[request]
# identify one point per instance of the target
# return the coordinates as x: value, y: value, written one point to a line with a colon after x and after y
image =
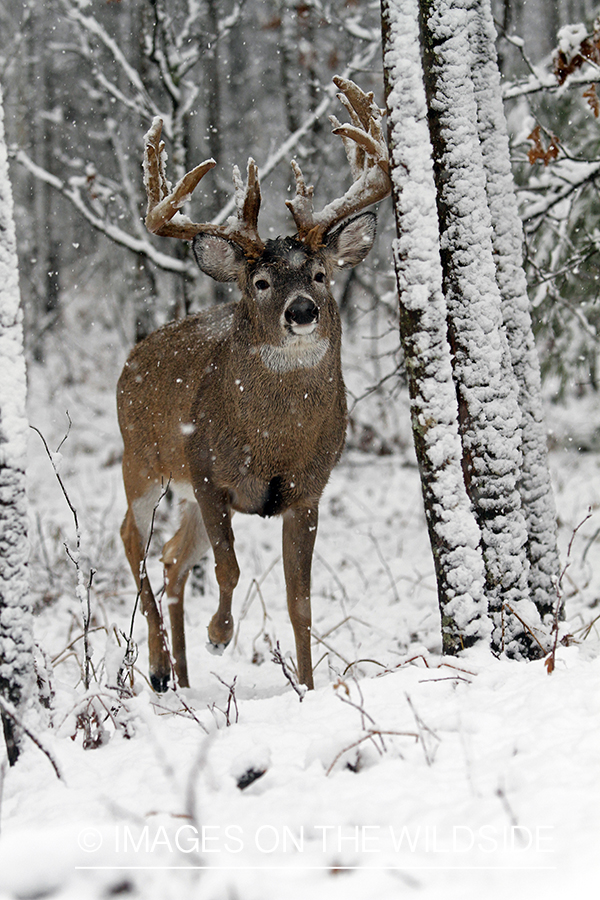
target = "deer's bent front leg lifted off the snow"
x: 216, y: 514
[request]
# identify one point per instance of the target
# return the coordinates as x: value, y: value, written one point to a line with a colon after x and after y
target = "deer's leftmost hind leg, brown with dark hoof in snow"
x: 135, y: 533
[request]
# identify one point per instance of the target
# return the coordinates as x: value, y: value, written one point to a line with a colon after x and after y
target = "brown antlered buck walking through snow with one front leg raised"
x: 242, y: 406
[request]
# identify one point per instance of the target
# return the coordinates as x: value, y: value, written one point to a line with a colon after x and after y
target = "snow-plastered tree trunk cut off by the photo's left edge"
x: 16, y: 642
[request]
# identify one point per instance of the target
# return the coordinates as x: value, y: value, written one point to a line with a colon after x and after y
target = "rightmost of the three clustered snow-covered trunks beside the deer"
x: 534, y: 484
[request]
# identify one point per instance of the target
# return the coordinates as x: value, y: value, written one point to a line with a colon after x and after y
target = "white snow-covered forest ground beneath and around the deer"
x: 403, y: 771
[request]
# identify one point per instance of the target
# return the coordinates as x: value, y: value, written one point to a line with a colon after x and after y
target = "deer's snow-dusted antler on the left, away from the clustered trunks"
x: 164, y: 202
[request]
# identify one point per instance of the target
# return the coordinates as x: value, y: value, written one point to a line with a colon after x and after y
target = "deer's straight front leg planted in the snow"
x: 299, y: 533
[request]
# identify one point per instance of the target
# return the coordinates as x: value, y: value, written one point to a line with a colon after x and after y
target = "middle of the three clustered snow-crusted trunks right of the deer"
x: 487, y: 390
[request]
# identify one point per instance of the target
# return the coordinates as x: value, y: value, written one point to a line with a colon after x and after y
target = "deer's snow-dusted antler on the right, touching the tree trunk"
x: 367, y: 154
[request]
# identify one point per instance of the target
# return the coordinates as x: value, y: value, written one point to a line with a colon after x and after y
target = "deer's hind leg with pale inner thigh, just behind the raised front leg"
x: 182, y: 552
